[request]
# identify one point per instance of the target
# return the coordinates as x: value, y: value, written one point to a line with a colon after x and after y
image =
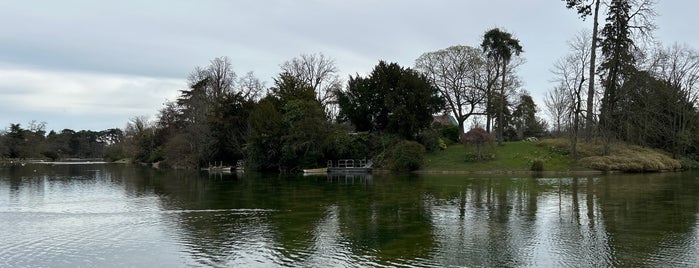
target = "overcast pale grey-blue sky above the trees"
x: 95, y: 64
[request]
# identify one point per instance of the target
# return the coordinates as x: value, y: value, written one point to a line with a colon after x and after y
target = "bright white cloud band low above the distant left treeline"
x: 88, y: 100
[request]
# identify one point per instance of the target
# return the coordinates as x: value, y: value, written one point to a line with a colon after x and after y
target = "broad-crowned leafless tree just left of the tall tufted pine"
x: 456, y: 71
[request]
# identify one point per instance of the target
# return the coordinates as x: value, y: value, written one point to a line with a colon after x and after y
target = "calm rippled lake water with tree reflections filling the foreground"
x: 108, y: 215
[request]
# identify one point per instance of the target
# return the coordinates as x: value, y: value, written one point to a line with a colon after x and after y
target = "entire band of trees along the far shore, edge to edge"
x: 617, y: 84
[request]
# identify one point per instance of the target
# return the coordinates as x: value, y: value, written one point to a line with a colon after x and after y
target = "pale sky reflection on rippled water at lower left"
x: 85, y: 220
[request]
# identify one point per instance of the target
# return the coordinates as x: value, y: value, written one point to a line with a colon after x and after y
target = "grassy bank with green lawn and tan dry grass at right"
x: 554, y: 154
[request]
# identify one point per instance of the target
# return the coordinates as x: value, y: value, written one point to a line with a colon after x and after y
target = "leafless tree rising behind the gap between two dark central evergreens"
x: 320, y: 73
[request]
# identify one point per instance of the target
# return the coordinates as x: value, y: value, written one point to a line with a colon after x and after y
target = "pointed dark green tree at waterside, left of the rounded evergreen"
x: 288, y: 129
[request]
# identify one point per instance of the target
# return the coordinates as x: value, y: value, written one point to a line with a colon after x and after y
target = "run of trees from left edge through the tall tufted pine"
x: 308, y: 117
